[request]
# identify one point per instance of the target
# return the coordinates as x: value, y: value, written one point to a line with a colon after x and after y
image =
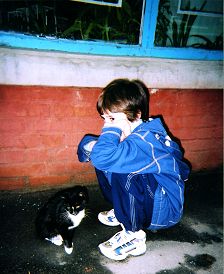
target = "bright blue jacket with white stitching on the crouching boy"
x: 148, y: 149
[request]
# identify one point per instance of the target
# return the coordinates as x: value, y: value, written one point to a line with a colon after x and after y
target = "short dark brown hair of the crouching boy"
x: 128, y: 96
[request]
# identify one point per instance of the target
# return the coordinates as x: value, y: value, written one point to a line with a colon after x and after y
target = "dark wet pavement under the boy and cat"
x: 195, y: 245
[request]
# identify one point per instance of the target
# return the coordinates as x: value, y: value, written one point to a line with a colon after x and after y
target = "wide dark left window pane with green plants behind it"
x: 74, y: 20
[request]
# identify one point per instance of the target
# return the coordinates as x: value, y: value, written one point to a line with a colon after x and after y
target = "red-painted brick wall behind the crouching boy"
x: 40, y: 128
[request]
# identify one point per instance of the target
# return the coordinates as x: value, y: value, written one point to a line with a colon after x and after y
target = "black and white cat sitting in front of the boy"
x: 63, y: 212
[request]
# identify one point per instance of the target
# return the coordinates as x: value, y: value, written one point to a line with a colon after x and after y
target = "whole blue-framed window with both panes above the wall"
x: 181, y: 29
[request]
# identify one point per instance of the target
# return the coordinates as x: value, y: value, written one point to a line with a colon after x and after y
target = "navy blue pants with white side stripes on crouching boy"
x: 131, y: 195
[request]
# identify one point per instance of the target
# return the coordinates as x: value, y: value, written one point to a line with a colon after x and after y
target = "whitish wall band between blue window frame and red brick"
x: 51, y: 68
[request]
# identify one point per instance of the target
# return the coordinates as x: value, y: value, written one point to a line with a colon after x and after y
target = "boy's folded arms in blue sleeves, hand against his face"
x: 112, y: 151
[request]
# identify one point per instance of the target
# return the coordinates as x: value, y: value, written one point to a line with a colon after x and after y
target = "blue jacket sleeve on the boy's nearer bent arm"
x: 109, y: 154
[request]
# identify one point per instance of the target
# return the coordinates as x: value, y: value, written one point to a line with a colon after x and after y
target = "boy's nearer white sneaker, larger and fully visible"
x: 123, y: 244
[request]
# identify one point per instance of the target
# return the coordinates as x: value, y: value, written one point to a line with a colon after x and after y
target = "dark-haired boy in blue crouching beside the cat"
x: 139, y: 168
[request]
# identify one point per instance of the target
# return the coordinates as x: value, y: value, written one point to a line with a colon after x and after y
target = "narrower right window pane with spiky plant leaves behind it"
x: 190, y: 23
